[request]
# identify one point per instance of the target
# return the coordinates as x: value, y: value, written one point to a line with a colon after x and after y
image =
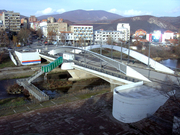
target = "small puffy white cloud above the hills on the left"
x: 49, y: 11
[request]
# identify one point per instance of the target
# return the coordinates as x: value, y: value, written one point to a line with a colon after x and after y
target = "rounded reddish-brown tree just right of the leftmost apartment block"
x: 23, y: 35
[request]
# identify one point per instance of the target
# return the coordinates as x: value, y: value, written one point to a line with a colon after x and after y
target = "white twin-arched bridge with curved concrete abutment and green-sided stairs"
x: 83, y: 63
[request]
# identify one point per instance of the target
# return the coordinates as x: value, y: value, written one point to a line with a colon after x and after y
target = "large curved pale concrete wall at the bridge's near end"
x: 133, y: 108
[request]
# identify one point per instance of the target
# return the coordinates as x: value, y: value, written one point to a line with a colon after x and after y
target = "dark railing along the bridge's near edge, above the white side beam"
x: 115, y: 74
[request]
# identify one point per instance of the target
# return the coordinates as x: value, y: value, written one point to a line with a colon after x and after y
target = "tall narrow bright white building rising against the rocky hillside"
x: 125, y: 28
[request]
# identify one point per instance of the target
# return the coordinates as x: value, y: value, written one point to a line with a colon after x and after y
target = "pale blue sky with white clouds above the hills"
x: 125, y: 8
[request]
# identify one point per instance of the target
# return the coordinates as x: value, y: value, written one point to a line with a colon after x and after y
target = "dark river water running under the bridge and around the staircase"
x: 77, y: 85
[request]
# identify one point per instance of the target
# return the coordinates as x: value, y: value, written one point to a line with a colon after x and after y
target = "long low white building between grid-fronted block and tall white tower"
x: 102, y: 37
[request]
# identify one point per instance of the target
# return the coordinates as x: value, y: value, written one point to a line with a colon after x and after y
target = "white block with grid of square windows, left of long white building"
x: 82, y: 32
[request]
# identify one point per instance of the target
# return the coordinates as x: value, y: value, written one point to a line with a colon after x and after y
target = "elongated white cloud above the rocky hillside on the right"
x: 130, y: 12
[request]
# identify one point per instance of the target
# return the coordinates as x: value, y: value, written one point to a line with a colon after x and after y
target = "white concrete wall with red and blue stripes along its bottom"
x: 28, y: 58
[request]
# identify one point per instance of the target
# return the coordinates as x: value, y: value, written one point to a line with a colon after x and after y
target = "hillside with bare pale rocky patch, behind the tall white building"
x: 148, y: 23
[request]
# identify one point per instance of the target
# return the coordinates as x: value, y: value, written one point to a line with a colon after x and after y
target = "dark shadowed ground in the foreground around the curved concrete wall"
x: 86, y: 117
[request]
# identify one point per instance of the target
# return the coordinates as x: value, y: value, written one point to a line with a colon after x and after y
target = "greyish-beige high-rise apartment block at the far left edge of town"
x: 11, y: 21
